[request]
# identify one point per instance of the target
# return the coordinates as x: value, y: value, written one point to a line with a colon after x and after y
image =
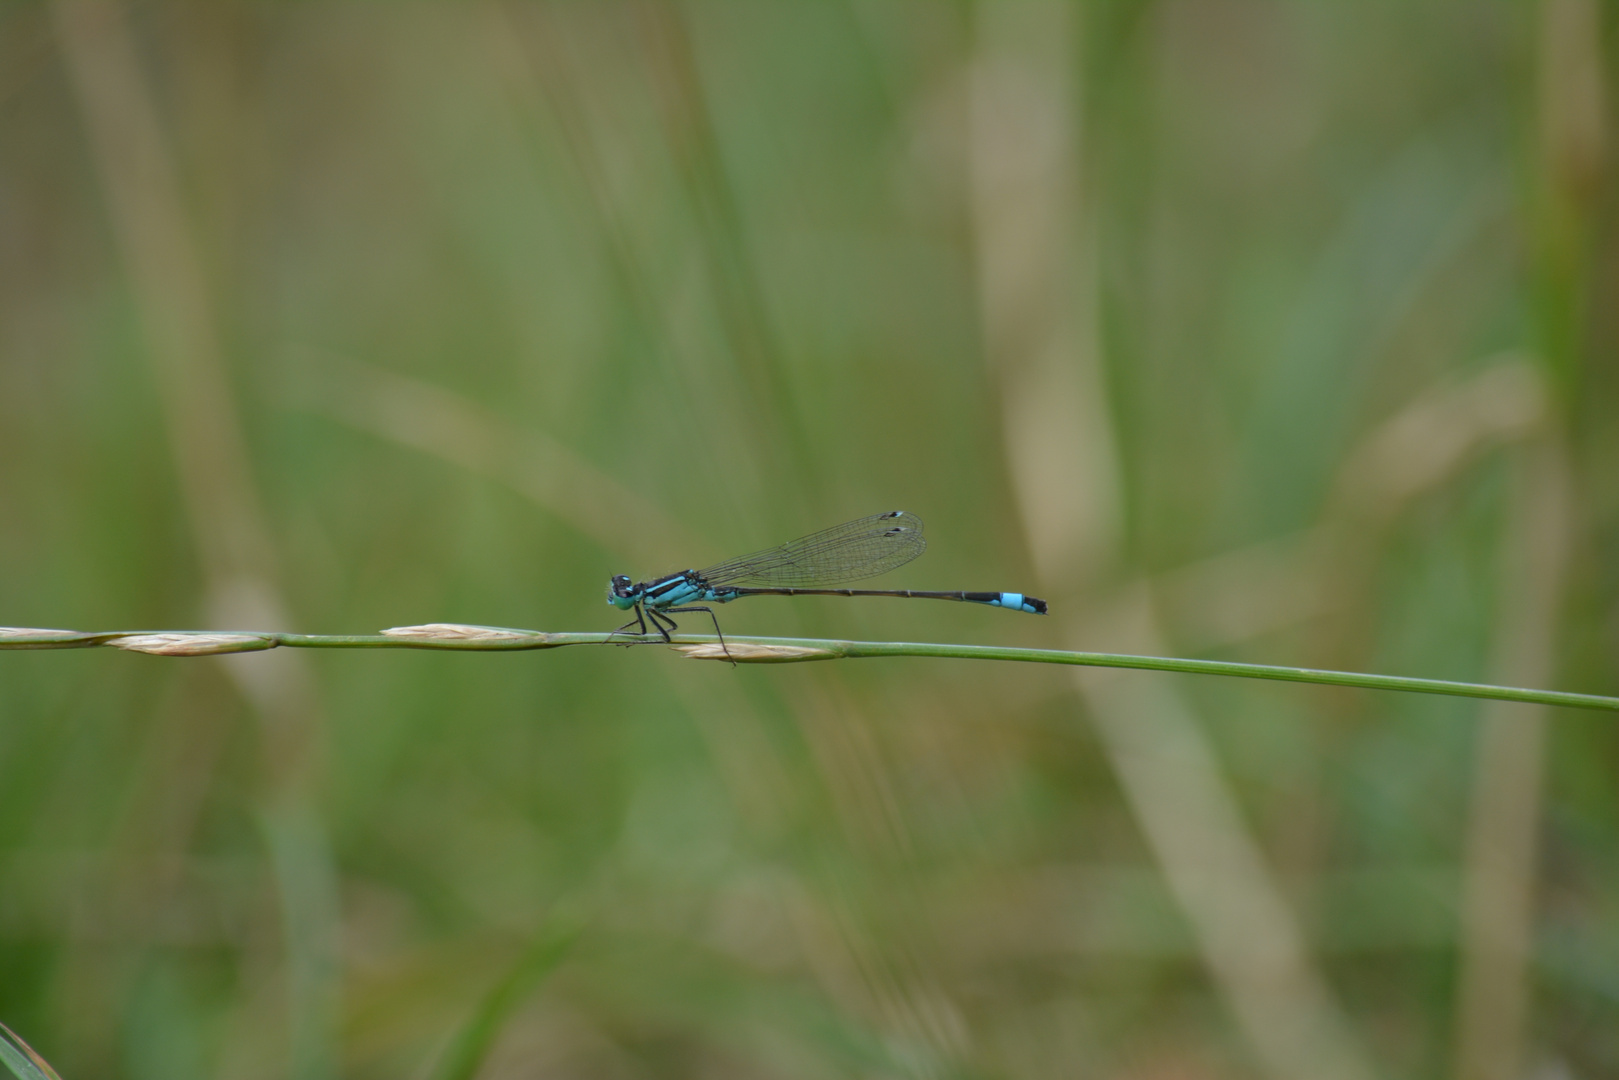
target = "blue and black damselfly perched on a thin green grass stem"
x: 846, y: 553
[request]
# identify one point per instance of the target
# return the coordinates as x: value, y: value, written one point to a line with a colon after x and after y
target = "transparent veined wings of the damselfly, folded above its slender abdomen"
x: 844, y: 553
